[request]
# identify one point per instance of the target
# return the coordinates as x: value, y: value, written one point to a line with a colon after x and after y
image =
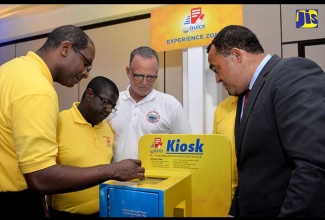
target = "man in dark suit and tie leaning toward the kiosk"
x: 280, y: 134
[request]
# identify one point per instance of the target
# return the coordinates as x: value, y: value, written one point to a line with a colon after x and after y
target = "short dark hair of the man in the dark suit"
x: 236, y: 36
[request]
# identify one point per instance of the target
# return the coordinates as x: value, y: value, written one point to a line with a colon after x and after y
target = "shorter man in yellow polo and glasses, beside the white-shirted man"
x: 85, y: 139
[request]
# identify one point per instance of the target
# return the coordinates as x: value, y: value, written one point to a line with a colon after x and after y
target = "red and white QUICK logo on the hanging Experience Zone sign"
x: 193, y: 21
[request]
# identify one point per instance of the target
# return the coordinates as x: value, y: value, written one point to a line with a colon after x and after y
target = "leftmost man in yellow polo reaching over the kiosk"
x: 28, y: 122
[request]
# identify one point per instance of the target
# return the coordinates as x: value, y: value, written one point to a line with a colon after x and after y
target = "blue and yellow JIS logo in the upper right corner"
x: 307, y: 18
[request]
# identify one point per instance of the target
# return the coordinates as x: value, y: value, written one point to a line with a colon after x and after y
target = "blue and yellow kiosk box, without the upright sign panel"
x: 160, y: 194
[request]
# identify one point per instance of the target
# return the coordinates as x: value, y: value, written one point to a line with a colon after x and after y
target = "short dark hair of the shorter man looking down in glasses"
x: 100, y: 83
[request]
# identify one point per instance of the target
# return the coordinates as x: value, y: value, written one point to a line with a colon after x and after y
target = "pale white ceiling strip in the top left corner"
x: 44, y: 21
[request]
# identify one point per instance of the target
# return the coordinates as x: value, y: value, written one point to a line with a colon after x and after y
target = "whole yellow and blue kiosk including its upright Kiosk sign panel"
x: 187, y: 175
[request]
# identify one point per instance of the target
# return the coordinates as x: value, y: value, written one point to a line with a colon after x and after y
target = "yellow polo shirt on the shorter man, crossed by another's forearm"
x: 81, y: 145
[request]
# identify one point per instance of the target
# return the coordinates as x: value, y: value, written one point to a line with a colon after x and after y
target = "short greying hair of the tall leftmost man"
x: 66, y: 33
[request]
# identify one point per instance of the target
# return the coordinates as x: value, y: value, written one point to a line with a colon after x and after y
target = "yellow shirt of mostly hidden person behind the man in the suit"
x: 224, y: 123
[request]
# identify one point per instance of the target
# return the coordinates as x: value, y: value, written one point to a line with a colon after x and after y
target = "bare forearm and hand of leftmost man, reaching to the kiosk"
x: 62, y: 178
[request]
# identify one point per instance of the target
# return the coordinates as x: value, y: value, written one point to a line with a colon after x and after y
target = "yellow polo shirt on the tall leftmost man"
x: 28, y: 117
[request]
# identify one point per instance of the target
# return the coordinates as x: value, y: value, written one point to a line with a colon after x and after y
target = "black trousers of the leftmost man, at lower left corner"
x: 22, y: 205
